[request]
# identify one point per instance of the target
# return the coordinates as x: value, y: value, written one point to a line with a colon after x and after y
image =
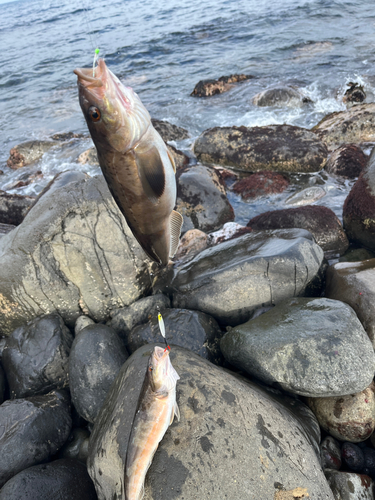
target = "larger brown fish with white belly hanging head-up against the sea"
x: 134, y: 159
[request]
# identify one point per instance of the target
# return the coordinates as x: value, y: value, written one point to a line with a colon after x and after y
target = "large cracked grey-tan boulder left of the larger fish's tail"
x: 72, y: 254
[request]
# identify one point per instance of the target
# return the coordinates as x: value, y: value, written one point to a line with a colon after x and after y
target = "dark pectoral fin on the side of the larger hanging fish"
x: 151, y: 172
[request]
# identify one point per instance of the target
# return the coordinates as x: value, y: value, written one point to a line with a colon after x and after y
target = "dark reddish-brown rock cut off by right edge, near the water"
x: 359, y: 208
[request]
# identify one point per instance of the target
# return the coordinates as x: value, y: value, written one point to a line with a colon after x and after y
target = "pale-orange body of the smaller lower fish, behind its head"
x: 149, y: 427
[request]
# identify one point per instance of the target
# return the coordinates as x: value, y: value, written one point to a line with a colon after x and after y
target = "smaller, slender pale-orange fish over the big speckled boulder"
x: 157, y: 407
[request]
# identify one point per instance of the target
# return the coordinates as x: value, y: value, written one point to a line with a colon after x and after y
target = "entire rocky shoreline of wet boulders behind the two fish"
x: 271, y: 325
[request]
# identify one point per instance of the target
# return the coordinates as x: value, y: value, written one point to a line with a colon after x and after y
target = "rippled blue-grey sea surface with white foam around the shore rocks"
x: 162, y: 48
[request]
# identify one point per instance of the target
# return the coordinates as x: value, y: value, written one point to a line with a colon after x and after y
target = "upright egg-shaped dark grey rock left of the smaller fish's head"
x: 96, y: 356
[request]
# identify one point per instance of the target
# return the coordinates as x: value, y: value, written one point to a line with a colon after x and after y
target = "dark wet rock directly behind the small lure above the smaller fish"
x: 193, y: 330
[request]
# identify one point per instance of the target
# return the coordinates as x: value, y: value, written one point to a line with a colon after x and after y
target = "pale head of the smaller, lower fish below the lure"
x: 161, y: 372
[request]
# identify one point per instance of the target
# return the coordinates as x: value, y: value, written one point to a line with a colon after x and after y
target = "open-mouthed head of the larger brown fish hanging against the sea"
x: 115, y: 115
